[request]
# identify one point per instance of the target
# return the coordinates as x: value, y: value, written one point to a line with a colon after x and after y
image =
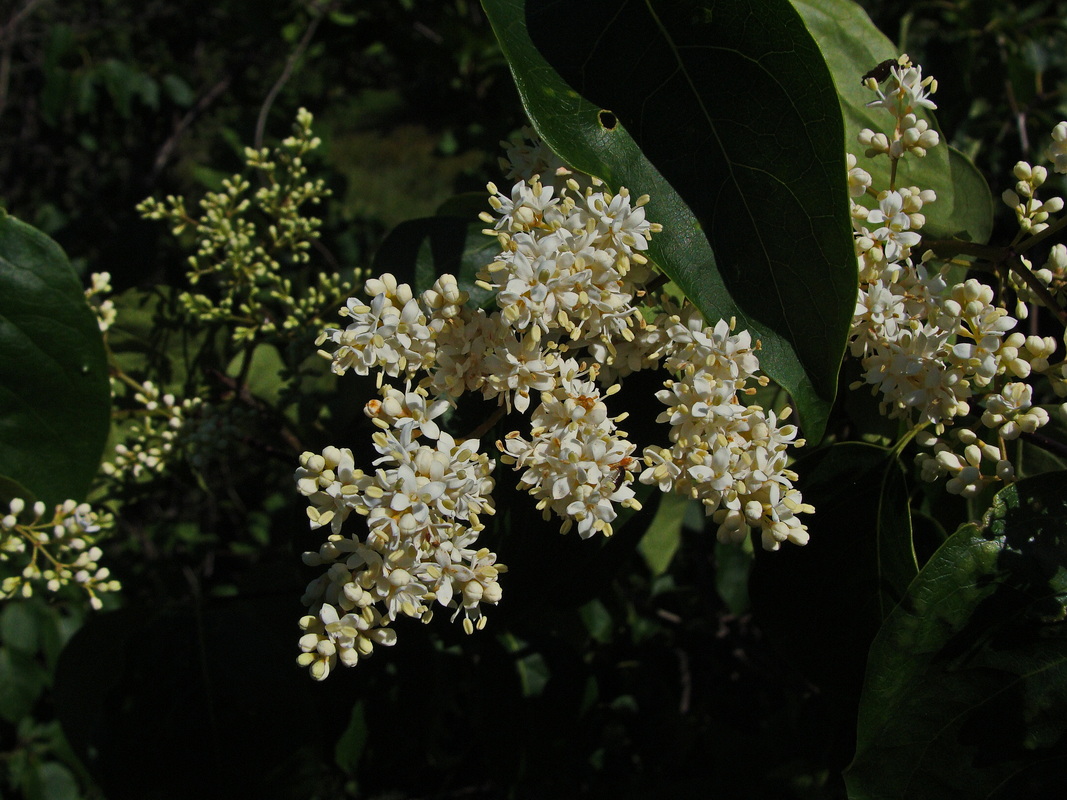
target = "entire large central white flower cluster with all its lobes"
x: 568, y: 282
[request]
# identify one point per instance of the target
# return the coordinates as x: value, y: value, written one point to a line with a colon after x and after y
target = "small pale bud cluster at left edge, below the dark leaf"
x: 60, y: 550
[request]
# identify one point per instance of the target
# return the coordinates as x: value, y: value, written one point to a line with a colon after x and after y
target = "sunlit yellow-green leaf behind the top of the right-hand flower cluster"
x: 852, y: 46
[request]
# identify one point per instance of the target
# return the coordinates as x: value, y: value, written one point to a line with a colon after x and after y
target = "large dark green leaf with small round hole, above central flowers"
x: 725, y: 115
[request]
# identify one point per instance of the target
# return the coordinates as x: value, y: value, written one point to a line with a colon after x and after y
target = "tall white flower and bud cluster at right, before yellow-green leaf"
x: 928, y: 347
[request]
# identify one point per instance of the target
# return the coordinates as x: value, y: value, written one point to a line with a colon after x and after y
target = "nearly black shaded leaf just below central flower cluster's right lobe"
x: 821, y: 605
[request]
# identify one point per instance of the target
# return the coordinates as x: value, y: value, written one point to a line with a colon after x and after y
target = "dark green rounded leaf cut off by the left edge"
x: 55, y: 396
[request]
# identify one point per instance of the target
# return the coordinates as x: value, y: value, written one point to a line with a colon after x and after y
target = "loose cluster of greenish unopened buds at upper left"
x: 252, y: 245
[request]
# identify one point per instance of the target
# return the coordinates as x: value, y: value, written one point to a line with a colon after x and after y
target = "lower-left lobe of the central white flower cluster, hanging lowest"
x: 423, y: 506
